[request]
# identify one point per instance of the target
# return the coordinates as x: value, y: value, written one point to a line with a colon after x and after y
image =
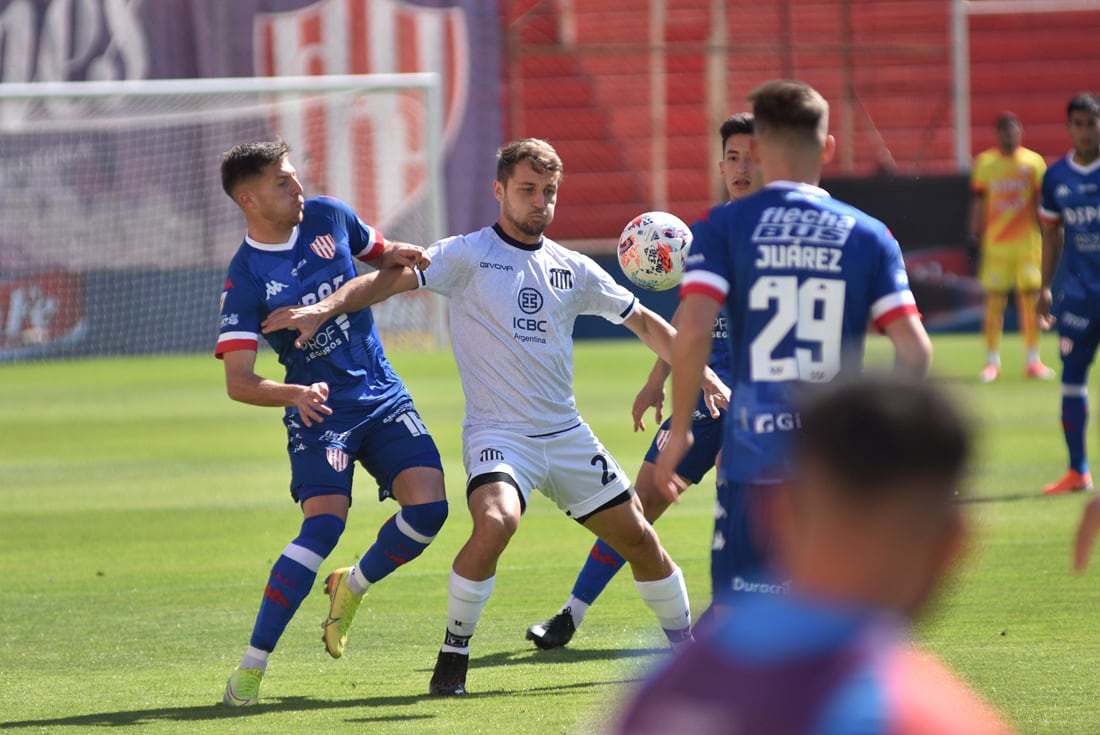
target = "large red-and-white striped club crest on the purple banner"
x: 361, y: 160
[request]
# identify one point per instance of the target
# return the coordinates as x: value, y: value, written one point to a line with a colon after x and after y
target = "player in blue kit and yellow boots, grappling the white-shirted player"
x: 344, y: 402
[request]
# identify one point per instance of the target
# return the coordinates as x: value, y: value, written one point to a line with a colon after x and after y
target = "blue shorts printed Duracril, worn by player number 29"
x: 740, y: 555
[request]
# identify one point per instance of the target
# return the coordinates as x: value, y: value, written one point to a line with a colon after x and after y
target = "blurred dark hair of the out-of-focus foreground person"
x: 887, y: 435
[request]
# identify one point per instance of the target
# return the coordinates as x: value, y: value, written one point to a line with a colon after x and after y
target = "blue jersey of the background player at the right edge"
x: 1072, y: 196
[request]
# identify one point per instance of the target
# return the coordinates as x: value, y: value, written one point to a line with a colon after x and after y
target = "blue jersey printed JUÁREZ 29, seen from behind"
x: 800, y: 275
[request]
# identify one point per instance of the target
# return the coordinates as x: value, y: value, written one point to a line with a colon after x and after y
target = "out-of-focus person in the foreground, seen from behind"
x: 866, y: 537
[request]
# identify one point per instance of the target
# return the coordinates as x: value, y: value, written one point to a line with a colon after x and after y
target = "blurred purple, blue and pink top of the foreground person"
x: 791, y: 666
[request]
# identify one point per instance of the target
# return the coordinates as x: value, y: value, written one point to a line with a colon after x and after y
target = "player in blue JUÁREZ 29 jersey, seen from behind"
x: 800, y: 275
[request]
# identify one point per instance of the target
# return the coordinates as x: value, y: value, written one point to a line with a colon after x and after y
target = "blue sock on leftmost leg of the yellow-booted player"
x: 292, y: 577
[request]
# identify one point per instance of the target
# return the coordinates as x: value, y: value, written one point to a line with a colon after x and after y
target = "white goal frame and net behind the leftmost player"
x: 117, y: 234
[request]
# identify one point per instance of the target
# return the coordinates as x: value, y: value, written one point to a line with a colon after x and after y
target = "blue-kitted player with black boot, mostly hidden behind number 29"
x: 741, y: 179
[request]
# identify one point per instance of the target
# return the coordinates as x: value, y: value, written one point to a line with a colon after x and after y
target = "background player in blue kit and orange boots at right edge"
x: 1071, y: 218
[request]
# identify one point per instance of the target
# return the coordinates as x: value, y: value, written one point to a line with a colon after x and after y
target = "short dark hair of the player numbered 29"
x: 793, y: 108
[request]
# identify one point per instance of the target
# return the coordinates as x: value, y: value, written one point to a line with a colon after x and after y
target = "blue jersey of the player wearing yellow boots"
x: 346, y: 352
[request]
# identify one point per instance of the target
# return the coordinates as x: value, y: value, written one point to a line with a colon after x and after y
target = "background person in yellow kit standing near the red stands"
x: 1006, y: 183
